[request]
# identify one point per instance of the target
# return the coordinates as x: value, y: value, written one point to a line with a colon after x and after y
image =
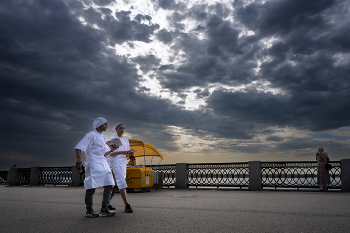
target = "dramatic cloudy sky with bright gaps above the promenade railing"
x: 202, y: 80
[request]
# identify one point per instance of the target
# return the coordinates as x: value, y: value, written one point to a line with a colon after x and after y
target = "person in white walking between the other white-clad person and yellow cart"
x: 118, y: 165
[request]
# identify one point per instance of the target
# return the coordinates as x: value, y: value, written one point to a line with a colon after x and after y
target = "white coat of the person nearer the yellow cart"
x: 118, y: 163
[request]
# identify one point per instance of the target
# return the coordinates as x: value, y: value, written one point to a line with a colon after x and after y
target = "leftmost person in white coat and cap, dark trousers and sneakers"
x: 98, y: 172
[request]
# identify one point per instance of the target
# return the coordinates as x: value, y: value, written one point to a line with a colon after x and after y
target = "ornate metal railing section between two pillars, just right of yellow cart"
x: 218, y: 174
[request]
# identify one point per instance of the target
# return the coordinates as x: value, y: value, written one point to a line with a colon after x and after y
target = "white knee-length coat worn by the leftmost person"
x: 98, y: 172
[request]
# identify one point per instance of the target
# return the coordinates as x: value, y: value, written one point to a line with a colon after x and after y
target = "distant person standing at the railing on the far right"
x: 323, y: 177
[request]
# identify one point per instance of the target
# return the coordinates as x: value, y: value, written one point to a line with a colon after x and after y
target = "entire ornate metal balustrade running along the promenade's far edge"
x: 296, y: 174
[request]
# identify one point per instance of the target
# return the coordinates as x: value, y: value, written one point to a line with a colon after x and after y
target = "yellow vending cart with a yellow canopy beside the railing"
x: 140, y: 176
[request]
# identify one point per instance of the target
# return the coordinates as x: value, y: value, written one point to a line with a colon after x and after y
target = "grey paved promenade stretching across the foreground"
x: 61, y: 209
